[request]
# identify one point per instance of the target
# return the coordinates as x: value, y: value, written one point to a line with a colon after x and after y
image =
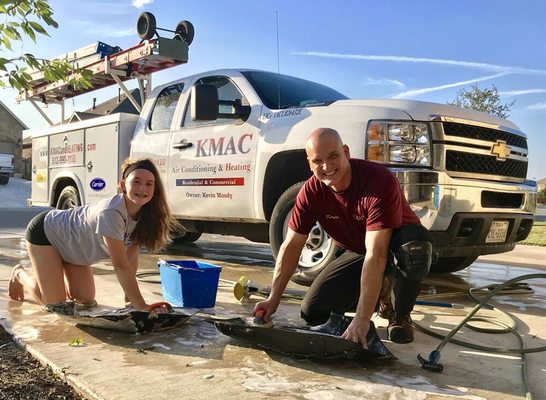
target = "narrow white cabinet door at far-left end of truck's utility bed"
x: 40, y: 175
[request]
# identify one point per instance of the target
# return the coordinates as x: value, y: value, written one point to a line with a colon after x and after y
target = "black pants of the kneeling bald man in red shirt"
x: 337, y: 287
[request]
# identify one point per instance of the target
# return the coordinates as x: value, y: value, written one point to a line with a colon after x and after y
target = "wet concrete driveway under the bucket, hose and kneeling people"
x: 194, y: 361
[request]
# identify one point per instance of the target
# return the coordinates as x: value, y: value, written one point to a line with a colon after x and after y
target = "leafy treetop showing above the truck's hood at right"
x: 484, y: 100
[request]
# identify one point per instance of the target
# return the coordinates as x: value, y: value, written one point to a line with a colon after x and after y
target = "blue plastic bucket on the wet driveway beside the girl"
x: 189, y: 283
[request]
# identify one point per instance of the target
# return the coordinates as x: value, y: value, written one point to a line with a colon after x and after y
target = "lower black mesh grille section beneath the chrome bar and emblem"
x: 458, y: 161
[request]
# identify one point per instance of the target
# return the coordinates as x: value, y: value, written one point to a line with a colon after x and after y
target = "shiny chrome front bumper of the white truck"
x: 459, y: 213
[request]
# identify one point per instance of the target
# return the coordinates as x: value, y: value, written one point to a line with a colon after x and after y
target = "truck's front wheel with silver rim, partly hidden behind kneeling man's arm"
x: 319, y: 250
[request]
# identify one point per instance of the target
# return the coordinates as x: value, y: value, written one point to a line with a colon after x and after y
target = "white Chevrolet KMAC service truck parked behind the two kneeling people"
x: 230, y: 147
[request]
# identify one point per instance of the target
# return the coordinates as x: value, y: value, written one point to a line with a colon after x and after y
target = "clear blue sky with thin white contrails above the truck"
x: 425, y: 50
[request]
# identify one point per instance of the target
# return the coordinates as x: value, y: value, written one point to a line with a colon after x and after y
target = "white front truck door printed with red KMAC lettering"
x: 211, y: 167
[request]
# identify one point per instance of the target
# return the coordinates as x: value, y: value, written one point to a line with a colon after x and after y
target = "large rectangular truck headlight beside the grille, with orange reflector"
x: 393, y: 142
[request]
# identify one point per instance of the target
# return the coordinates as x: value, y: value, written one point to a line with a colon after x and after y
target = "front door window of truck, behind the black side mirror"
x: 227, y: 93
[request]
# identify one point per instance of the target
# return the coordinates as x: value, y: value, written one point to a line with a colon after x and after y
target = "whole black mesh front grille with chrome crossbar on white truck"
x: 477, y: 158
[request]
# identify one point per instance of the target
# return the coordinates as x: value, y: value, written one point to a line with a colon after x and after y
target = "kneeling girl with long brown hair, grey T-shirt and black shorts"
x: 62, y: 244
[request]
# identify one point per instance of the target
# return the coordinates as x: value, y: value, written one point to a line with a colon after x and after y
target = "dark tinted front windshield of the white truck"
x: 294, y: 92
